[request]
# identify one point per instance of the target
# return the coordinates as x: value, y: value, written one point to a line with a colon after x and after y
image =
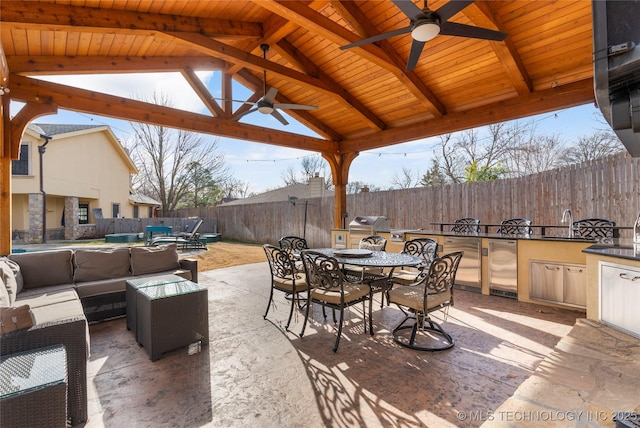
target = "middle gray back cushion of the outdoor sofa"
x: 95, y: 265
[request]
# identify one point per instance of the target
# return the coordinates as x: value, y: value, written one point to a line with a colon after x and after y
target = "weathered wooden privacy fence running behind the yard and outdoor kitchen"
x: 604, y: 188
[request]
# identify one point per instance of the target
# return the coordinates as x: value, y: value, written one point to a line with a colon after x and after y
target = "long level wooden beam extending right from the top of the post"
x: 564, y: 96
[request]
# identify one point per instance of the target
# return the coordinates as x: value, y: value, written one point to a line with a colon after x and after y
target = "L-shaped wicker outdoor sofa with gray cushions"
x: 64, y: 289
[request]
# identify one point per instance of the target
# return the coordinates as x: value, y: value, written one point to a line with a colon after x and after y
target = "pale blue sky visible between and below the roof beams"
x: 262, y: 165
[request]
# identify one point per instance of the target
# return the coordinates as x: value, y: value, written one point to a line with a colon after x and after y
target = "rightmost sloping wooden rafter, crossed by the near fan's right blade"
x: 482, y: 15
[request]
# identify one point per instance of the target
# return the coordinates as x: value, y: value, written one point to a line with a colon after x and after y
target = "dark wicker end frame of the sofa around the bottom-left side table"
x: 72, y: 333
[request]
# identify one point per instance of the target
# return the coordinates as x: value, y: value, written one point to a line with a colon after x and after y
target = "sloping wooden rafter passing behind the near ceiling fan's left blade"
x: 350, y: 11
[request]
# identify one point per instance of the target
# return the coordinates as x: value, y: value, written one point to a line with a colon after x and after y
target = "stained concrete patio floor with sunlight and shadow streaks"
x: 255, y: 374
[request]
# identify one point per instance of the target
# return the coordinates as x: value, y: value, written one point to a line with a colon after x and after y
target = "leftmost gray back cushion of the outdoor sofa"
x: 43, y: 268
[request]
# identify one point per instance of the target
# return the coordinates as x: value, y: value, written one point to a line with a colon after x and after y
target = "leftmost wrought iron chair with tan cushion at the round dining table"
x: 284, y: 277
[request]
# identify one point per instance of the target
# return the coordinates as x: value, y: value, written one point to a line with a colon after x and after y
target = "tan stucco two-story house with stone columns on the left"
x: 85, y: 175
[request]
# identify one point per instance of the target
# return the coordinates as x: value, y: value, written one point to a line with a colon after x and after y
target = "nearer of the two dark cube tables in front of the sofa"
x: 171, y: 315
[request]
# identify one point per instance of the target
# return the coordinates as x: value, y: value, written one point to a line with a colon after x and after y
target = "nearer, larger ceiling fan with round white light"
x: 426, y: 24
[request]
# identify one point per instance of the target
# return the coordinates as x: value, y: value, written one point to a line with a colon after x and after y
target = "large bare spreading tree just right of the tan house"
x: 171, y: 161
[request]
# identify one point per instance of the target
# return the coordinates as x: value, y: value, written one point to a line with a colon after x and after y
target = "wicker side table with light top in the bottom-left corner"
x: 33, y: 388
